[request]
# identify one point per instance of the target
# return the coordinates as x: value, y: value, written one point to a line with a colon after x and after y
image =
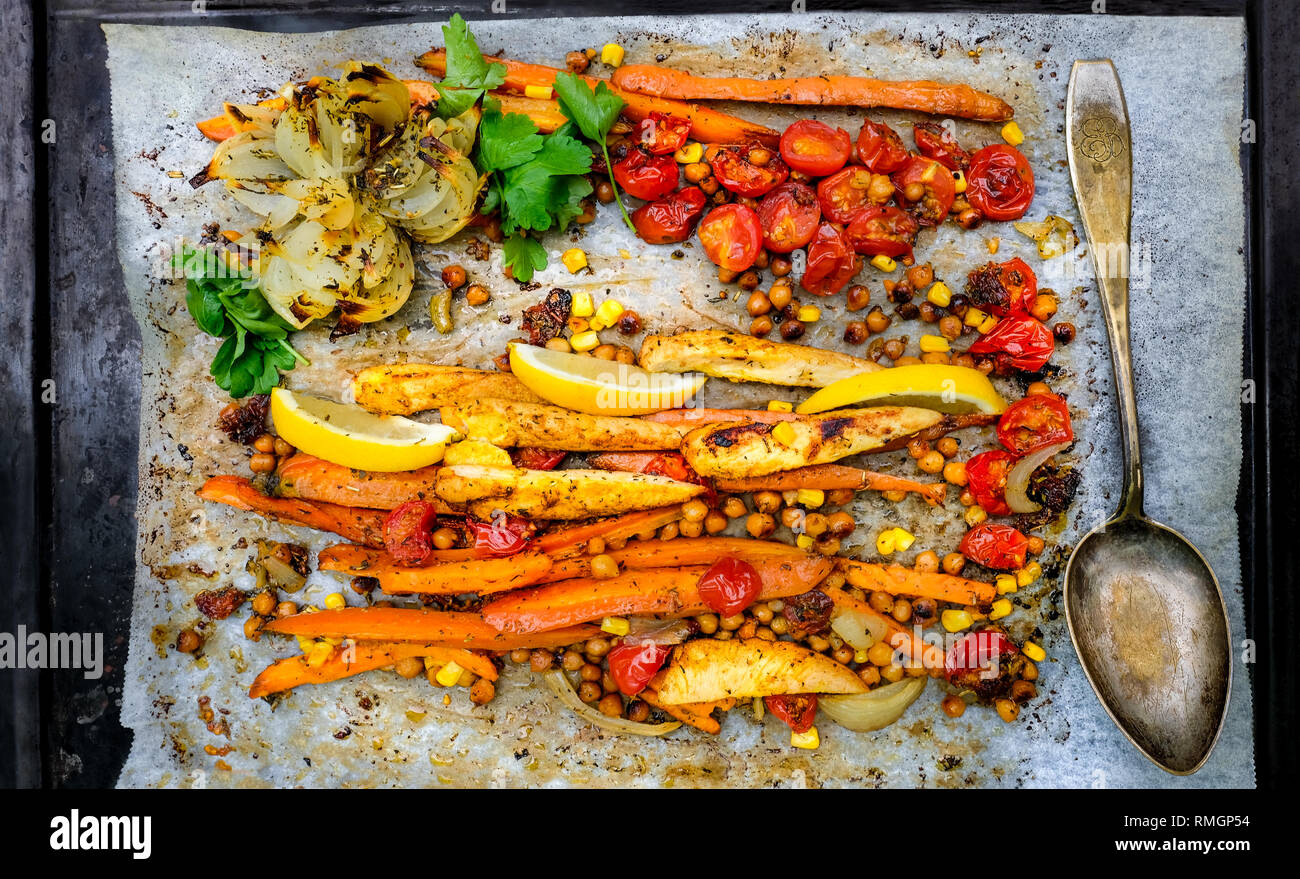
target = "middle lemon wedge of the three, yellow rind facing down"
x: 599, y: 387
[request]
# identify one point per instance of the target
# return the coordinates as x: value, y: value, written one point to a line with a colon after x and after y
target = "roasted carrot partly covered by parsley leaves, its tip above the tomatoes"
x: 707, y: 125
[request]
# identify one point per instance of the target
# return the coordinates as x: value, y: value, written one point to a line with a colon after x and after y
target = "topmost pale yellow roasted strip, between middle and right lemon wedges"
x: 746, y: 358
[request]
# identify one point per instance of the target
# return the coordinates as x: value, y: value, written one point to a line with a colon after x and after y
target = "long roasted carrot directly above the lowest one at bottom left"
x: 441, y: 629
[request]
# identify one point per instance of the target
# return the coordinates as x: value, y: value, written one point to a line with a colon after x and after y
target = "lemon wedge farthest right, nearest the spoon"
x: 956, y: 391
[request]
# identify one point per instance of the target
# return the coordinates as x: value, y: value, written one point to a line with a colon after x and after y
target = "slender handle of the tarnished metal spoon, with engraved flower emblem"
x: 1100, y: 153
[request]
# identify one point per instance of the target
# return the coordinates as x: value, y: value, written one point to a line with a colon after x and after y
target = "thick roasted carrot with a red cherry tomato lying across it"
x: 670, y: 592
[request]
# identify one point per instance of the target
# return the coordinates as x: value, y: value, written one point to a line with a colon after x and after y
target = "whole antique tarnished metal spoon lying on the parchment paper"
x: 1145, y: 608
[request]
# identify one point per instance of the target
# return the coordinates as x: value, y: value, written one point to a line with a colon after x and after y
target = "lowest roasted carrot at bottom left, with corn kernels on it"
x: 365, y: 656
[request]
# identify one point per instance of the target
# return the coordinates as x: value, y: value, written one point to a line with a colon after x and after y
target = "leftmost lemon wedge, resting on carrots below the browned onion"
x: 353, y: 438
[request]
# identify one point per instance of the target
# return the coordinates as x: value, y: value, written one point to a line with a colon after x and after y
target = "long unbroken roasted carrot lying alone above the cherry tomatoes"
x: 925, y: 97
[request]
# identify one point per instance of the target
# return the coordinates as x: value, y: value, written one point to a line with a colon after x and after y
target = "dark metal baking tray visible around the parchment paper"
x: 83, y: 451
